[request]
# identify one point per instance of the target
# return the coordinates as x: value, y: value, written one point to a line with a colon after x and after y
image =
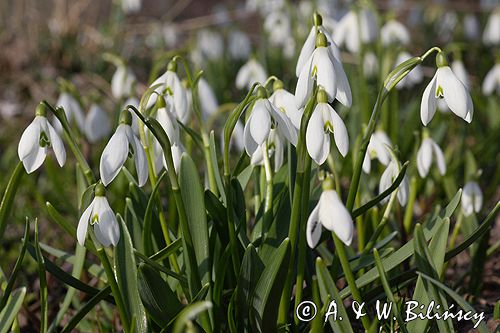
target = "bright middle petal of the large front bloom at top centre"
x: 325, y: 72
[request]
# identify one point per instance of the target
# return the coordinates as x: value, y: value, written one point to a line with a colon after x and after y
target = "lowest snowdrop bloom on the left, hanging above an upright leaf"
x: 100, y: 215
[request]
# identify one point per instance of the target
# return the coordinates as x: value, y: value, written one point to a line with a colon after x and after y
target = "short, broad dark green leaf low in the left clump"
x: 160, y: 301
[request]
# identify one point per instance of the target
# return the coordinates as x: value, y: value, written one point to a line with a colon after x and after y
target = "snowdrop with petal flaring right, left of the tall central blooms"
x: 263, y: 116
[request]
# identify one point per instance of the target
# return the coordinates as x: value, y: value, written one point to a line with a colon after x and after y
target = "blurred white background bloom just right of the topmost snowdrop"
x: 348, y: 31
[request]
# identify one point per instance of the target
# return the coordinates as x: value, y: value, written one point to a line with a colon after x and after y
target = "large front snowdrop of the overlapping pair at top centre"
x: 323, y: 67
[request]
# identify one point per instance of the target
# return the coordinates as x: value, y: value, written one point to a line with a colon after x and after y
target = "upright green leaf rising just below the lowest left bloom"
x: 126, y: 276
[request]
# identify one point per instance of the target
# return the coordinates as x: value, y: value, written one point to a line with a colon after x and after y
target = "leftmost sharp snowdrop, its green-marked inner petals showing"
x: 36, y: 140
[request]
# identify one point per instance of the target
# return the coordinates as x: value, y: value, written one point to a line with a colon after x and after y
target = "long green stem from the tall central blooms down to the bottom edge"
x: 303, y: 171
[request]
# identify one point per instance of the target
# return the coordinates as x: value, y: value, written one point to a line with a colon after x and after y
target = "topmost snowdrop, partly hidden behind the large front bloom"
x: 310, y: 44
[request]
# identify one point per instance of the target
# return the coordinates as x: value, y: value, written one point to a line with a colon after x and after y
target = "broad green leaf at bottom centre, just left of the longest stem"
x: 268, y: 290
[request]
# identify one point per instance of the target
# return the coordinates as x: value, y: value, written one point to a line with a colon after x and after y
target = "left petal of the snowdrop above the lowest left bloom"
x: 114, y: 155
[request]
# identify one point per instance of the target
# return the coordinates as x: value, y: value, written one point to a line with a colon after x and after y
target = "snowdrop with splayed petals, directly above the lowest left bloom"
x: 122, y: 144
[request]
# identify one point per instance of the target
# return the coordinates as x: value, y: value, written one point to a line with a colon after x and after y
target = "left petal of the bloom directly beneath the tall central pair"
x: 317, y: 141
